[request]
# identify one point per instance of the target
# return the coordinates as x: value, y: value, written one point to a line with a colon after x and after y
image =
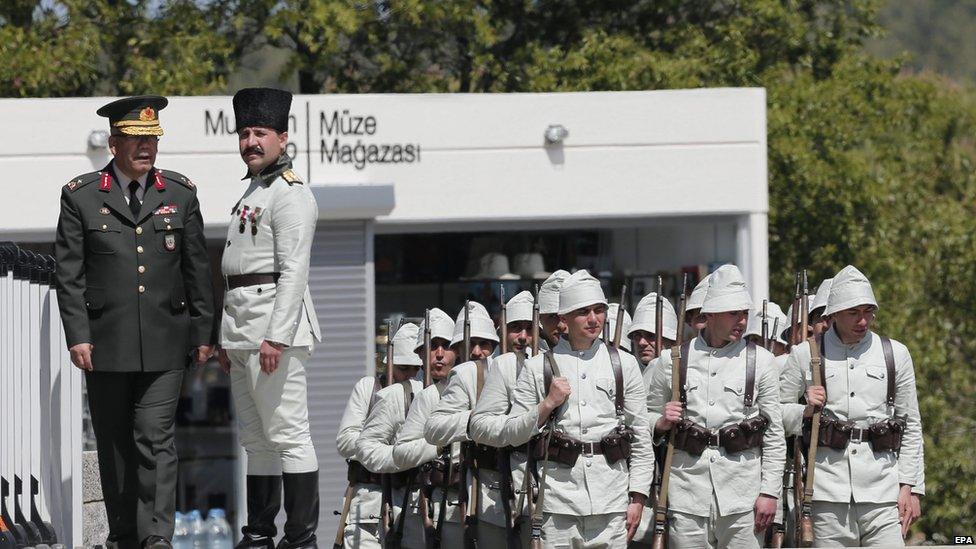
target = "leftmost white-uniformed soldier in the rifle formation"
x: 364, y: 510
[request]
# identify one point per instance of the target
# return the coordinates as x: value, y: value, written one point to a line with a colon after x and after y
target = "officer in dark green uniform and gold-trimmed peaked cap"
x: 136, y: 300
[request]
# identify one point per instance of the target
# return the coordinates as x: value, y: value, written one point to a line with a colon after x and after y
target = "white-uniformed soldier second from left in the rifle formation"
x: 385, y: 421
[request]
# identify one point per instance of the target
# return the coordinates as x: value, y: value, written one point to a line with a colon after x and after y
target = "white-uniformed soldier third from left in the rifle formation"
x: 413, y: 449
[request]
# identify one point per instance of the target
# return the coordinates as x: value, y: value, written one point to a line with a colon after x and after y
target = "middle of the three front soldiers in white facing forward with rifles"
x: 727, y: 471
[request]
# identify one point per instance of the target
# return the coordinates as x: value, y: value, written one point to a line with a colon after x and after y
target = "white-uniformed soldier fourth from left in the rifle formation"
x: 449, y: 422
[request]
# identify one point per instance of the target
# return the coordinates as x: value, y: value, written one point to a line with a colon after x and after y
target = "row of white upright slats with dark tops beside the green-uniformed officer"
x: 40, y: 408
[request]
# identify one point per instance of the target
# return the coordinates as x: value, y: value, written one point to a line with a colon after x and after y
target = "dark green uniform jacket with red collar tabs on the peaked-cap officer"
x: 139, y: 290
